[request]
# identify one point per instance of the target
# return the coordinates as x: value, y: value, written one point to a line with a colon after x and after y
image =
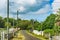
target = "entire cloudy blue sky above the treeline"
x: 29, y: 9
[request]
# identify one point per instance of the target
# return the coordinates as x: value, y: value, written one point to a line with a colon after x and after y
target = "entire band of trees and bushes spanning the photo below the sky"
x: 50, y: 25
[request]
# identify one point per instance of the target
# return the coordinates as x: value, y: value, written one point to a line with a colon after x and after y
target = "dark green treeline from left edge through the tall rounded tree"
x: 31, y: 24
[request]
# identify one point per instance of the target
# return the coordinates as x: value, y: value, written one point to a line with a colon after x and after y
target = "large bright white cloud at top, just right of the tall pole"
x: 21, y: 4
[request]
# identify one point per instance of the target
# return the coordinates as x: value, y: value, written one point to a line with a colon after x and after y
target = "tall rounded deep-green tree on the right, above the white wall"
x: 49, y: 22
